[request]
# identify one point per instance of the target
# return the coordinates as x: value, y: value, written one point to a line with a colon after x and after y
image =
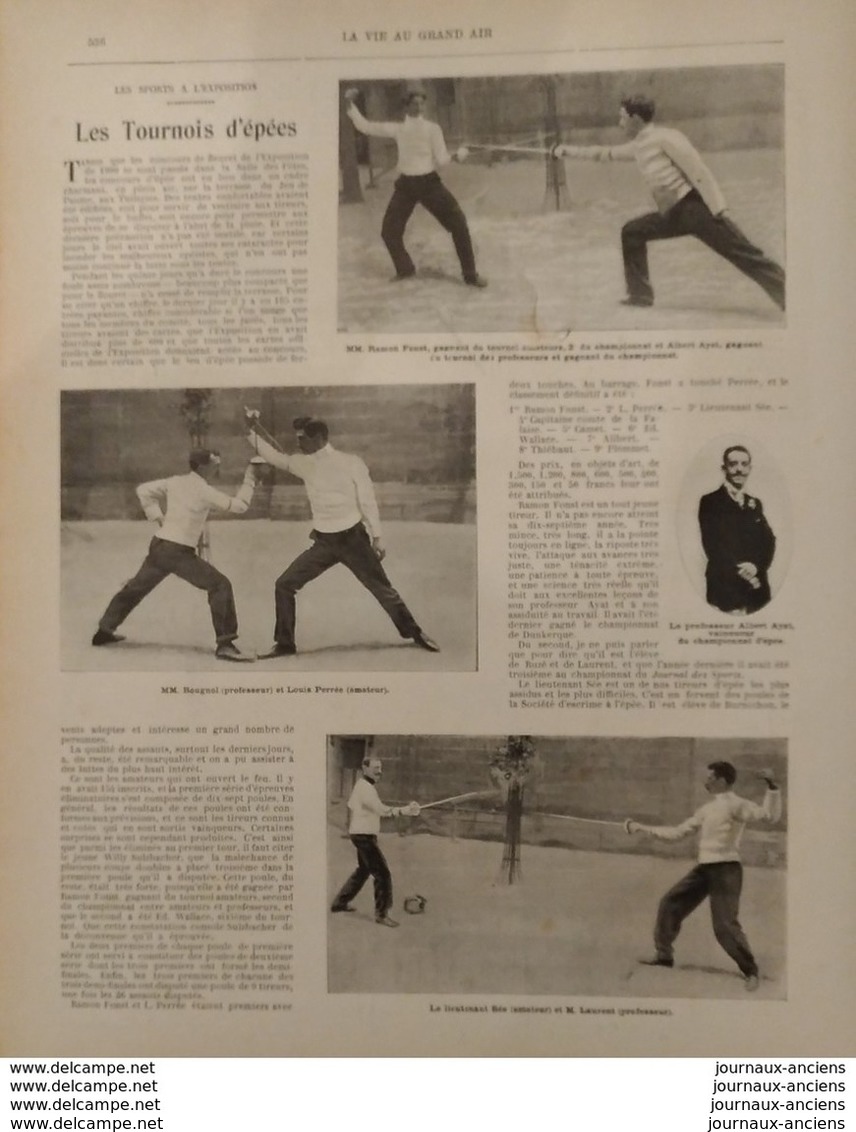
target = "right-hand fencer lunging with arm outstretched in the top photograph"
x: 689, y: 203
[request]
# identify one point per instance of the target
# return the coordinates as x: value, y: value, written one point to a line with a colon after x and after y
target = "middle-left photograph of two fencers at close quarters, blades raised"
x: 306, y: 528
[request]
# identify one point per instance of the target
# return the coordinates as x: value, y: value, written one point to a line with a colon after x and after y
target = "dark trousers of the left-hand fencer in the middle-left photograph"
x: 166, y: 559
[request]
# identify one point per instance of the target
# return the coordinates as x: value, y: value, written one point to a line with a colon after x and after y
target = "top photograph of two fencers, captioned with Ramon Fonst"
x: 627, y: 200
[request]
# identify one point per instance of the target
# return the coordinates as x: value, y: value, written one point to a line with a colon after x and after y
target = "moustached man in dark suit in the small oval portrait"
x: 738, y: 541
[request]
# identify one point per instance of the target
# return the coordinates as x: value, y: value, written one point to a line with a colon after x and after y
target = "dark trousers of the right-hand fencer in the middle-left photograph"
x: 353, y: 548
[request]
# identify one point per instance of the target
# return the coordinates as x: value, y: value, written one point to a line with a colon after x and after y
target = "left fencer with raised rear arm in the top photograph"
x: 422, y: 152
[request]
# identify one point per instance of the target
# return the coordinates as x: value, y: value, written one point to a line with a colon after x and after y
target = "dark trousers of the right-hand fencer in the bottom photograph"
x: 722, y: 884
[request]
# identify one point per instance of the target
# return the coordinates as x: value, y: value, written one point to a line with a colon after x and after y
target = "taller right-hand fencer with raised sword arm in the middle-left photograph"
x: 346, y: 530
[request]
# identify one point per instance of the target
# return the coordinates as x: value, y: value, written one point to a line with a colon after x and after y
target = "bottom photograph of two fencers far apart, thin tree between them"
x: 596, y: 867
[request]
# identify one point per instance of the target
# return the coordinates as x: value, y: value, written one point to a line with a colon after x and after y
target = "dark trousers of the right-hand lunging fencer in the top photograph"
x: 691, y: 217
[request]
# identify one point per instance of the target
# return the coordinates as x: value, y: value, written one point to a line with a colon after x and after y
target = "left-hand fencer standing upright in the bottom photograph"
x: 364, y: 826
